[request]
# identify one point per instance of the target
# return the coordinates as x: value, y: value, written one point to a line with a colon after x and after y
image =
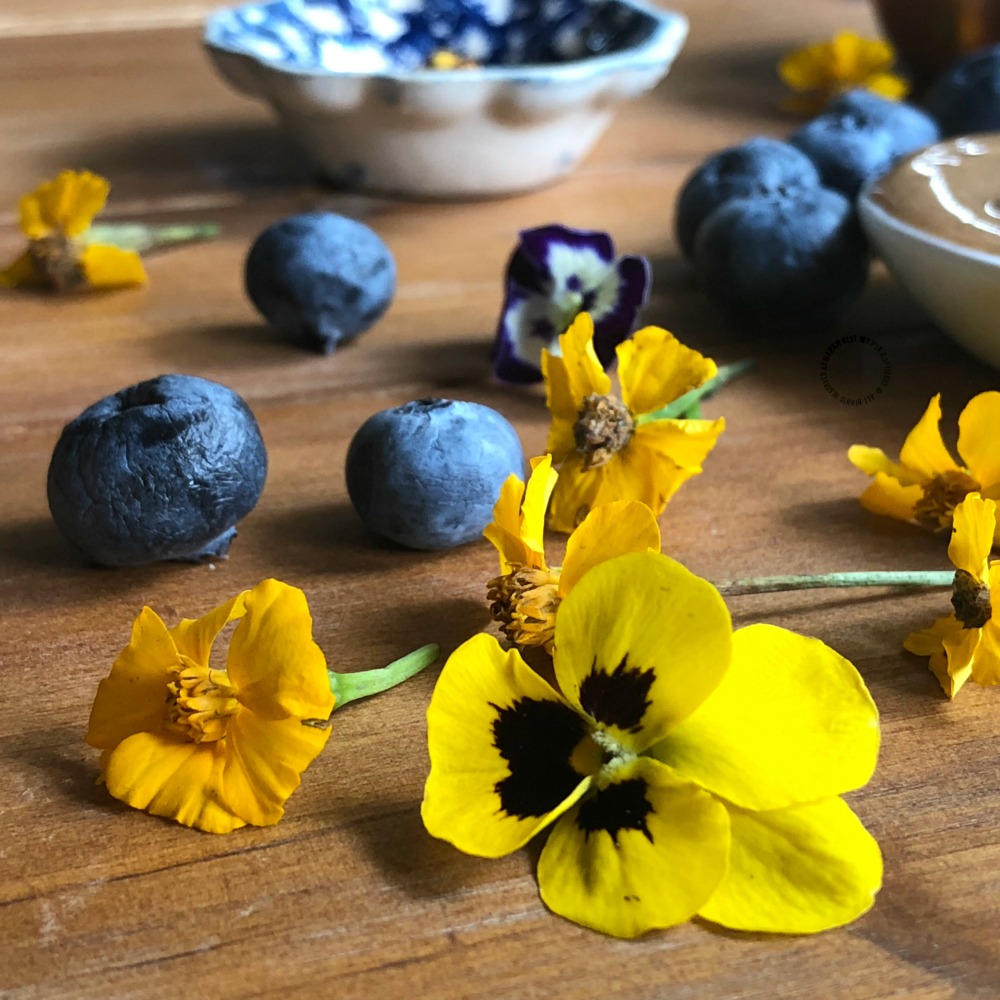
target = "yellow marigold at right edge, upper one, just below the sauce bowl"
x: 926, y: 484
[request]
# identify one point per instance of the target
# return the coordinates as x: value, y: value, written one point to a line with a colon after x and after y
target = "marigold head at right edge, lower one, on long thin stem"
x: 966, y: 643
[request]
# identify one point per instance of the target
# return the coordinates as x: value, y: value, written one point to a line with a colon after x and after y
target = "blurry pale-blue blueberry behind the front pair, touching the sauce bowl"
x: 859, y: 136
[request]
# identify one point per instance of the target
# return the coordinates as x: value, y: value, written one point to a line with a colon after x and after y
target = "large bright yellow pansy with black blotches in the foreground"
x: 686, y: 769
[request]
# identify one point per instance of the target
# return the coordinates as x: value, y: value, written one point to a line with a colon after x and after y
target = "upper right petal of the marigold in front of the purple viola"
x: 655, y: 368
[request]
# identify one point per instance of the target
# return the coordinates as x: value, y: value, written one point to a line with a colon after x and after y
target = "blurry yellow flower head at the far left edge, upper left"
x: 55, y: 217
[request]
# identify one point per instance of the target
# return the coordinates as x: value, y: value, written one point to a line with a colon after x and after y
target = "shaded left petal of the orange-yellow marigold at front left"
x: 132, y: 699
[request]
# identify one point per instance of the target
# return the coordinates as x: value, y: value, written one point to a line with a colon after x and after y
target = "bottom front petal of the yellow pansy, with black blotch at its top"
x: 661, y: 859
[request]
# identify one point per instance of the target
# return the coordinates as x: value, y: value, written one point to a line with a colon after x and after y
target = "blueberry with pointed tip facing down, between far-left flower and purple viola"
x: 320, y: 278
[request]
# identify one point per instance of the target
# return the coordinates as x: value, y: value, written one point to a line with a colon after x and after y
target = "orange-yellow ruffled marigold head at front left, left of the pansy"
x: 215, y: 748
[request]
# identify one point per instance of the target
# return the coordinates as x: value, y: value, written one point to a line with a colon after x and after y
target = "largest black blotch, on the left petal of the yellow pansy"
x: 536, y: 738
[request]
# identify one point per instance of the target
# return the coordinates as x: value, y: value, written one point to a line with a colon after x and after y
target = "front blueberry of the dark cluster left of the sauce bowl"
x: 783, y: 263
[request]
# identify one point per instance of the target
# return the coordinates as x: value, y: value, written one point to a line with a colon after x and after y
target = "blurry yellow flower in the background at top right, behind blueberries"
x: 822, y: 71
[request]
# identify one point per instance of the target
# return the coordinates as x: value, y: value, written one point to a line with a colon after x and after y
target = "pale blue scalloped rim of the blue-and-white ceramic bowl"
x: 670, y: 29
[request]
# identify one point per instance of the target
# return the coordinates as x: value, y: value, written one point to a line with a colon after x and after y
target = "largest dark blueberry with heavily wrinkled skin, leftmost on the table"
x: 160, y: 470
